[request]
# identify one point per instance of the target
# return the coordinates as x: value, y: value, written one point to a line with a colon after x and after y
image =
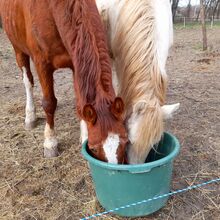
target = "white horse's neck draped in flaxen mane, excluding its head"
x: 134, y: 42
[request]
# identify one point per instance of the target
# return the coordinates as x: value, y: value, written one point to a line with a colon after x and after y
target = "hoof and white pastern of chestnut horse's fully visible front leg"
x: 50, y: 148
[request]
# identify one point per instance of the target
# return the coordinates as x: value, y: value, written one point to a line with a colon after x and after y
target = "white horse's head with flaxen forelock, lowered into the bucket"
x: 145, y: 128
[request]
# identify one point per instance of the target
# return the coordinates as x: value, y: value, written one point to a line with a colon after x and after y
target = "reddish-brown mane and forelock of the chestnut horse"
x: 86, y: 43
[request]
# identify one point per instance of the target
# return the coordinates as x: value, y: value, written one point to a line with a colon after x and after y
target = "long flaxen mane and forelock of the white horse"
x: 141, y: 80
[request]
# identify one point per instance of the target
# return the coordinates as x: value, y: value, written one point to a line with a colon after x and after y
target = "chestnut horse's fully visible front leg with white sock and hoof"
x: 49, y: 103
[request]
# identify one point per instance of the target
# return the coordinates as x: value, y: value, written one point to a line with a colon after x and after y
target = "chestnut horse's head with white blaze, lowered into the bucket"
x: 107, y: 136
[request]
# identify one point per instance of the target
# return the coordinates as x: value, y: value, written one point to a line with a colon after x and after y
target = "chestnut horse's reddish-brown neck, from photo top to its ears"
x: 81, y: 30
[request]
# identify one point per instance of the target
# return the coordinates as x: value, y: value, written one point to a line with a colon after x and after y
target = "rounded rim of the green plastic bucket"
x: 134, y: 168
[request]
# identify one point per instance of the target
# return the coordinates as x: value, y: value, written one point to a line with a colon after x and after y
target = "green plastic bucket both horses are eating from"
x: 120, y: 185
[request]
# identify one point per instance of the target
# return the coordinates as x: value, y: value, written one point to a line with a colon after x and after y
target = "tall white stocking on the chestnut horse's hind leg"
x: 30, y: 108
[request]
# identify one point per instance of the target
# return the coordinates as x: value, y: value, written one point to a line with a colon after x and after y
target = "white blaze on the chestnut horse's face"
x: 110, y: 148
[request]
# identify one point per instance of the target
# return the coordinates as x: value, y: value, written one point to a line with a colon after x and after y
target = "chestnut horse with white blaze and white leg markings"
x: 58, y: 34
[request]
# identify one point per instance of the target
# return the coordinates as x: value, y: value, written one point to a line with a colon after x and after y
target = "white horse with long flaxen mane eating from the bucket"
x: 140, y: 34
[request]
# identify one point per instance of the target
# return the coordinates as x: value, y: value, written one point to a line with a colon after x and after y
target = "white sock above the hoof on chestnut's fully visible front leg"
x: 50, y: 138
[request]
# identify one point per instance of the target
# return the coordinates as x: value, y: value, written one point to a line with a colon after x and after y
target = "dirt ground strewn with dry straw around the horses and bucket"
x: 32, y: 187
